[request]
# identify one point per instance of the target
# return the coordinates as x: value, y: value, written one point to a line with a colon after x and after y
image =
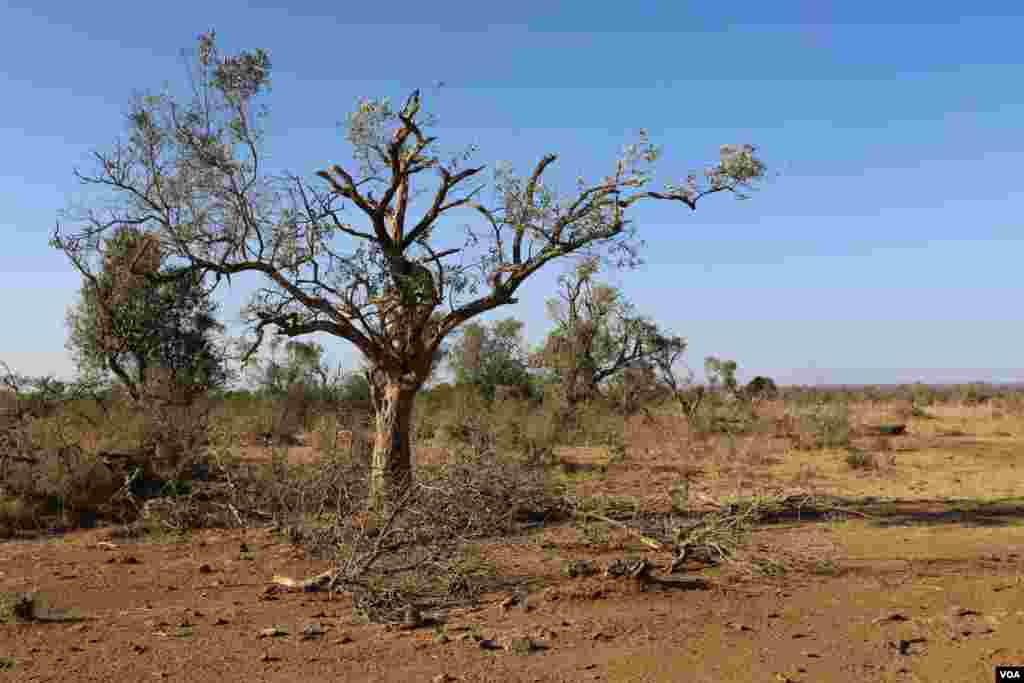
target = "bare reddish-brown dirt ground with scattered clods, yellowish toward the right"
x: 917, y: 579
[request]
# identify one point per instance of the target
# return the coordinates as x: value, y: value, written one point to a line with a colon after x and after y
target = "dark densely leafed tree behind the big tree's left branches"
x: 156, y: 338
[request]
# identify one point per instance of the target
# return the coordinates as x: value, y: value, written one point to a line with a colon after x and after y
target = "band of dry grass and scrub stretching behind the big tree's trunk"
x: 659, y: 462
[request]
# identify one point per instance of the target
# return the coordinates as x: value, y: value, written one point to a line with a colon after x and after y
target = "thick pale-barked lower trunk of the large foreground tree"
x: 392, y: 462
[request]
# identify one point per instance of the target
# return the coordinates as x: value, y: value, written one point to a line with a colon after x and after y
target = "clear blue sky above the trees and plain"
x: 887, y: 247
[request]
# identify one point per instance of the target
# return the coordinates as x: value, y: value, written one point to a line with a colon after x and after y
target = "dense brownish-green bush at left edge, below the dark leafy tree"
x: 80, y: 455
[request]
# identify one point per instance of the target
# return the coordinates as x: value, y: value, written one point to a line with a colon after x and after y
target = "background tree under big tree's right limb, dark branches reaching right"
x: 598, y: 337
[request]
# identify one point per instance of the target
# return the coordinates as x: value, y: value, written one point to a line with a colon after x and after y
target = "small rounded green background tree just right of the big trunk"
x: 489, y: 357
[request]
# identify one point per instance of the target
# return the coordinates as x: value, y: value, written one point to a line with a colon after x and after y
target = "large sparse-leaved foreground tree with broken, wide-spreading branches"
x: 195, y: 173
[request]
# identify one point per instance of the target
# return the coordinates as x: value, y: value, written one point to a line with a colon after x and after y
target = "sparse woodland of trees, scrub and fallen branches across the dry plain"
x: 453, y: 434
